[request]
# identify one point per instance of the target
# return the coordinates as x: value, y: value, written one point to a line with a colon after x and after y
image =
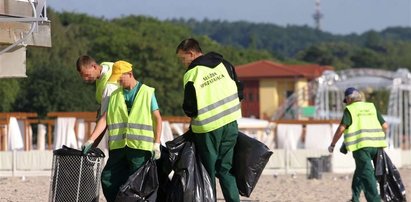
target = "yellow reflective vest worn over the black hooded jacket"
x: 217, y: 97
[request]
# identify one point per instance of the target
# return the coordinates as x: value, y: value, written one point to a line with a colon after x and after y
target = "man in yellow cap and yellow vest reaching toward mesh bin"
x: 134, y: 126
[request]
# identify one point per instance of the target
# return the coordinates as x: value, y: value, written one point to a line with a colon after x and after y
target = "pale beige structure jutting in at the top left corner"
x: 22, y: 23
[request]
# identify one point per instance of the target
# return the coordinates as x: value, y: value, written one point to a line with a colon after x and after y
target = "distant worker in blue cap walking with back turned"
x: 364, y: 133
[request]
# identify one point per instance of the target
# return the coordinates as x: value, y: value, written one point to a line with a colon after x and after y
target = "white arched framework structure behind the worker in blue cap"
x: 327, y: 93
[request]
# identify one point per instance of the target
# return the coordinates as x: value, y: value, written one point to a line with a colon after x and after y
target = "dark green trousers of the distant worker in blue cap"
x: 364, y: 177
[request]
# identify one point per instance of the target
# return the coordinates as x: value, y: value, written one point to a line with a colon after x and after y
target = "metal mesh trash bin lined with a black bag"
x: 76, y: 177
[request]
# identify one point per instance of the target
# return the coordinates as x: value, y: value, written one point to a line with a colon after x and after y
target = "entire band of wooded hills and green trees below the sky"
x: 53, y: 83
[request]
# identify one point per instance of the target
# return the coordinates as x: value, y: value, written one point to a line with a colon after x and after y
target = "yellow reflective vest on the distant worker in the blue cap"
x: 365, y: 130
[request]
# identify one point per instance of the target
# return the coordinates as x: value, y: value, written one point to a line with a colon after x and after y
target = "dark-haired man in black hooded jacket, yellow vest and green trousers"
x: 212, y: 100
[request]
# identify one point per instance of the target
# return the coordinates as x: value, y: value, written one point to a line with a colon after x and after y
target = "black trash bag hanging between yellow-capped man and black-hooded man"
x: 190, y: 181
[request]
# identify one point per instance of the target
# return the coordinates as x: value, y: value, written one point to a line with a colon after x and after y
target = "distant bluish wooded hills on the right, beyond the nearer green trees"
x: 387, y: 49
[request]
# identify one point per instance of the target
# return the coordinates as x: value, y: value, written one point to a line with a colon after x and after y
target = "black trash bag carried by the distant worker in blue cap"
x: 391, y: 186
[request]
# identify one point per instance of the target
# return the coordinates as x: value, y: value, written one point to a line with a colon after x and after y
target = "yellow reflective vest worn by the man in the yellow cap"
x: 134, y: 130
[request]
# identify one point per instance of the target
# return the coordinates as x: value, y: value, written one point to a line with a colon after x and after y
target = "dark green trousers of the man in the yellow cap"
x: 120, y: 165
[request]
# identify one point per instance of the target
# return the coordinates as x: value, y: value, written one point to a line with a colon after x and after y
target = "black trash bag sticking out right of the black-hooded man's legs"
x: 250, y: 158
